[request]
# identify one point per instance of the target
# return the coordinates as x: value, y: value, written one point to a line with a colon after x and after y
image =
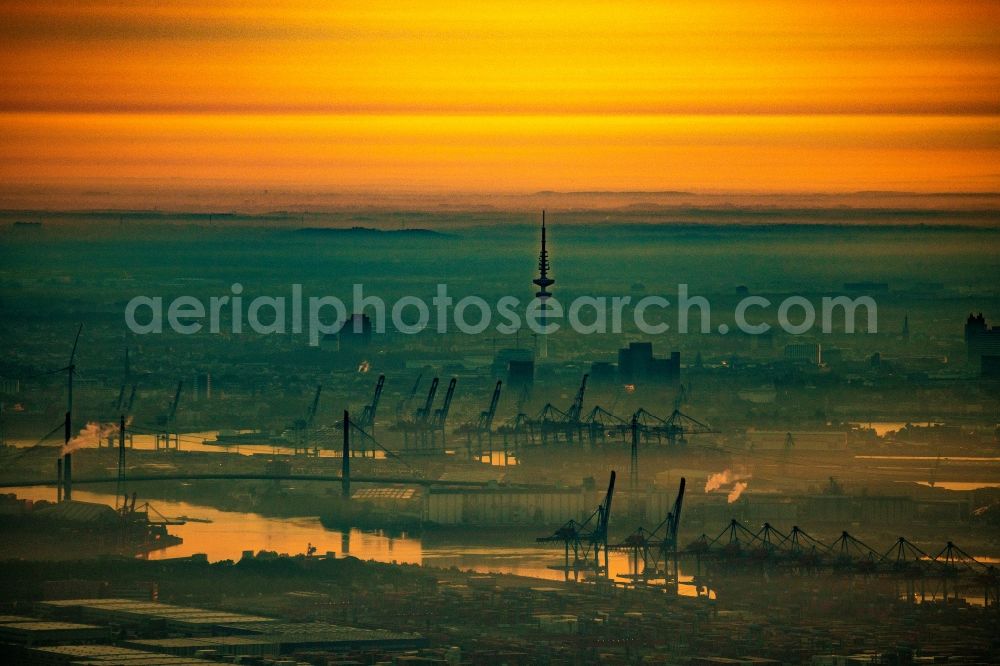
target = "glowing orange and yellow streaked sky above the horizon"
x: 438, y: 96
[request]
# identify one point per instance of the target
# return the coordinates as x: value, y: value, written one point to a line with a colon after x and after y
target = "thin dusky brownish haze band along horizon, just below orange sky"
x: 876, y: 207
